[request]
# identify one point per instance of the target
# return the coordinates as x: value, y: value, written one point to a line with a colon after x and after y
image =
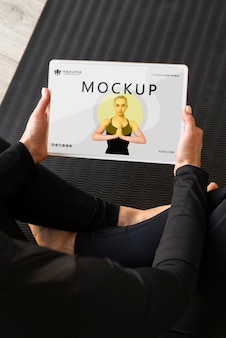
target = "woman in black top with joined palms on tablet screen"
x: 119, y: 131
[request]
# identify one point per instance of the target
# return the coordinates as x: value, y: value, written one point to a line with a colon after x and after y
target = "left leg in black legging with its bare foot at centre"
x: 49, y: 201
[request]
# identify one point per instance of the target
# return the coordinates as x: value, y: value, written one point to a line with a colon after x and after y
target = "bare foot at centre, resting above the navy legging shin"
x: 129, y: 216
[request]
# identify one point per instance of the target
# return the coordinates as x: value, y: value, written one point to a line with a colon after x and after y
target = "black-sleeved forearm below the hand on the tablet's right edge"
x: 180, y: 248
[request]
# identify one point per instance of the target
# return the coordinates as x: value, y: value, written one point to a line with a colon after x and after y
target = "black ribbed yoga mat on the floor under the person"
x: 189, y: 32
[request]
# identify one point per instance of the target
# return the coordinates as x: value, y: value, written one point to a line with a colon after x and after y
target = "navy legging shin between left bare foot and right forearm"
x: 131, y: 246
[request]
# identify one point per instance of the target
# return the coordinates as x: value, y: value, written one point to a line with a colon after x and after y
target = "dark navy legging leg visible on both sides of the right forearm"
x: 135, y: 246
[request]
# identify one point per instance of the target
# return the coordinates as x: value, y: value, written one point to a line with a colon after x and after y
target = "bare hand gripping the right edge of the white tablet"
x: 190, y: 145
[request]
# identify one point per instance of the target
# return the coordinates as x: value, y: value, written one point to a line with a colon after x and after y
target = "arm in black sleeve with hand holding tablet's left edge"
x: 17, y: 161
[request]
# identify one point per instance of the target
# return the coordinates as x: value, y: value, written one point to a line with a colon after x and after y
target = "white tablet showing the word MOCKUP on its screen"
x: 128, y: 111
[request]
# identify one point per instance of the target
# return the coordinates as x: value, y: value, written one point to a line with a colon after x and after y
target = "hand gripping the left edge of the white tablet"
x: 35, y: 135
